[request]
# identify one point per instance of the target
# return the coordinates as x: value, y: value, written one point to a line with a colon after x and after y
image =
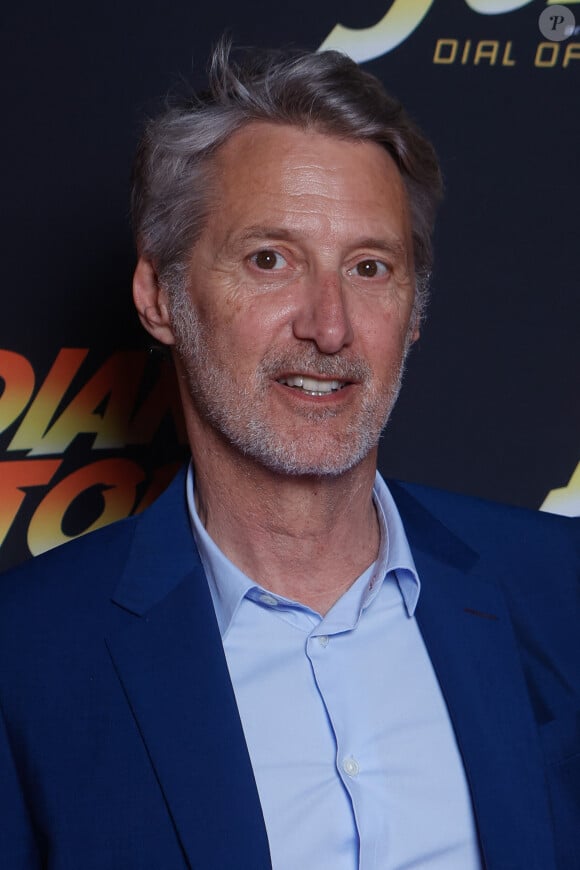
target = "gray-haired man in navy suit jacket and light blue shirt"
x: 284, y: 662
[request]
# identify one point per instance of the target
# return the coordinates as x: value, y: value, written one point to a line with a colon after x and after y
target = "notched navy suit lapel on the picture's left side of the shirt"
x: 174, y: 674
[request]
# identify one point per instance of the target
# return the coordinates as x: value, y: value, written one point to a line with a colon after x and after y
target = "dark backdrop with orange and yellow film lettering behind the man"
x: 88, y: 426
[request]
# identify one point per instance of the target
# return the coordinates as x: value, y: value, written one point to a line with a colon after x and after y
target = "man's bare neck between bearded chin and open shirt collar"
x: 304, y: 537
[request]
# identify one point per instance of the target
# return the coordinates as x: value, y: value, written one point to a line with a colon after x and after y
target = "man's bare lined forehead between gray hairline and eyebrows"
x: 292, y: 173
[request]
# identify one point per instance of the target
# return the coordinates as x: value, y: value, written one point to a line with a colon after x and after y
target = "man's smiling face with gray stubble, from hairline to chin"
x: 297, y: 315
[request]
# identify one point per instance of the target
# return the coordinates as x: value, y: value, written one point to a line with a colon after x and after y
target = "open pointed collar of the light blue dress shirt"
x: 229, y: 585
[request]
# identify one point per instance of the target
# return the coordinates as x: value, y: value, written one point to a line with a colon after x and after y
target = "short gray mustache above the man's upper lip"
x: 337, y: 367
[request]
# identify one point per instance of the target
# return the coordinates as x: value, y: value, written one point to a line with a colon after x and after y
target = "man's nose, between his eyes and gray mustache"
x: 323, y: 316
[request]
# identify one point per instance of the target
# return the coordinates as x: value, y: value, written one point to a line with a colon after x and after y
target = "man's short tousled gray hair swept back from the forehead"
x: 326, y: 91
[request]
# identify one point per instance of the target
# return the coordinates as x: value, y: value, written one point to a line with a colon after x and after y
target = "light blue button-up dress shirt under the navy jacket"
x: 354, y: 755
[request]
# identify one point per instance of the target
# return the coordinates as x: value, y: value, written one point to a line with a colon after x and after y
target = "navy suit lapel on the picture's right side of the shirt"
x: 467, y: 629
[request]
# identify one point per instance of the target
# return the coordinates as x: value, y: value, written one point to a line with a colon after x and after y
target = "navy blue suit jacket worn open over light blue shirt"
x: 120, y: 741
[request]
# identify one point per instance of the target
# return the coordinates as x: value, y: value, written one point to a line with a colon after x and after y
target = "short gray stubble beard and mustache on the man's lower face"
x: 230, y: 412
